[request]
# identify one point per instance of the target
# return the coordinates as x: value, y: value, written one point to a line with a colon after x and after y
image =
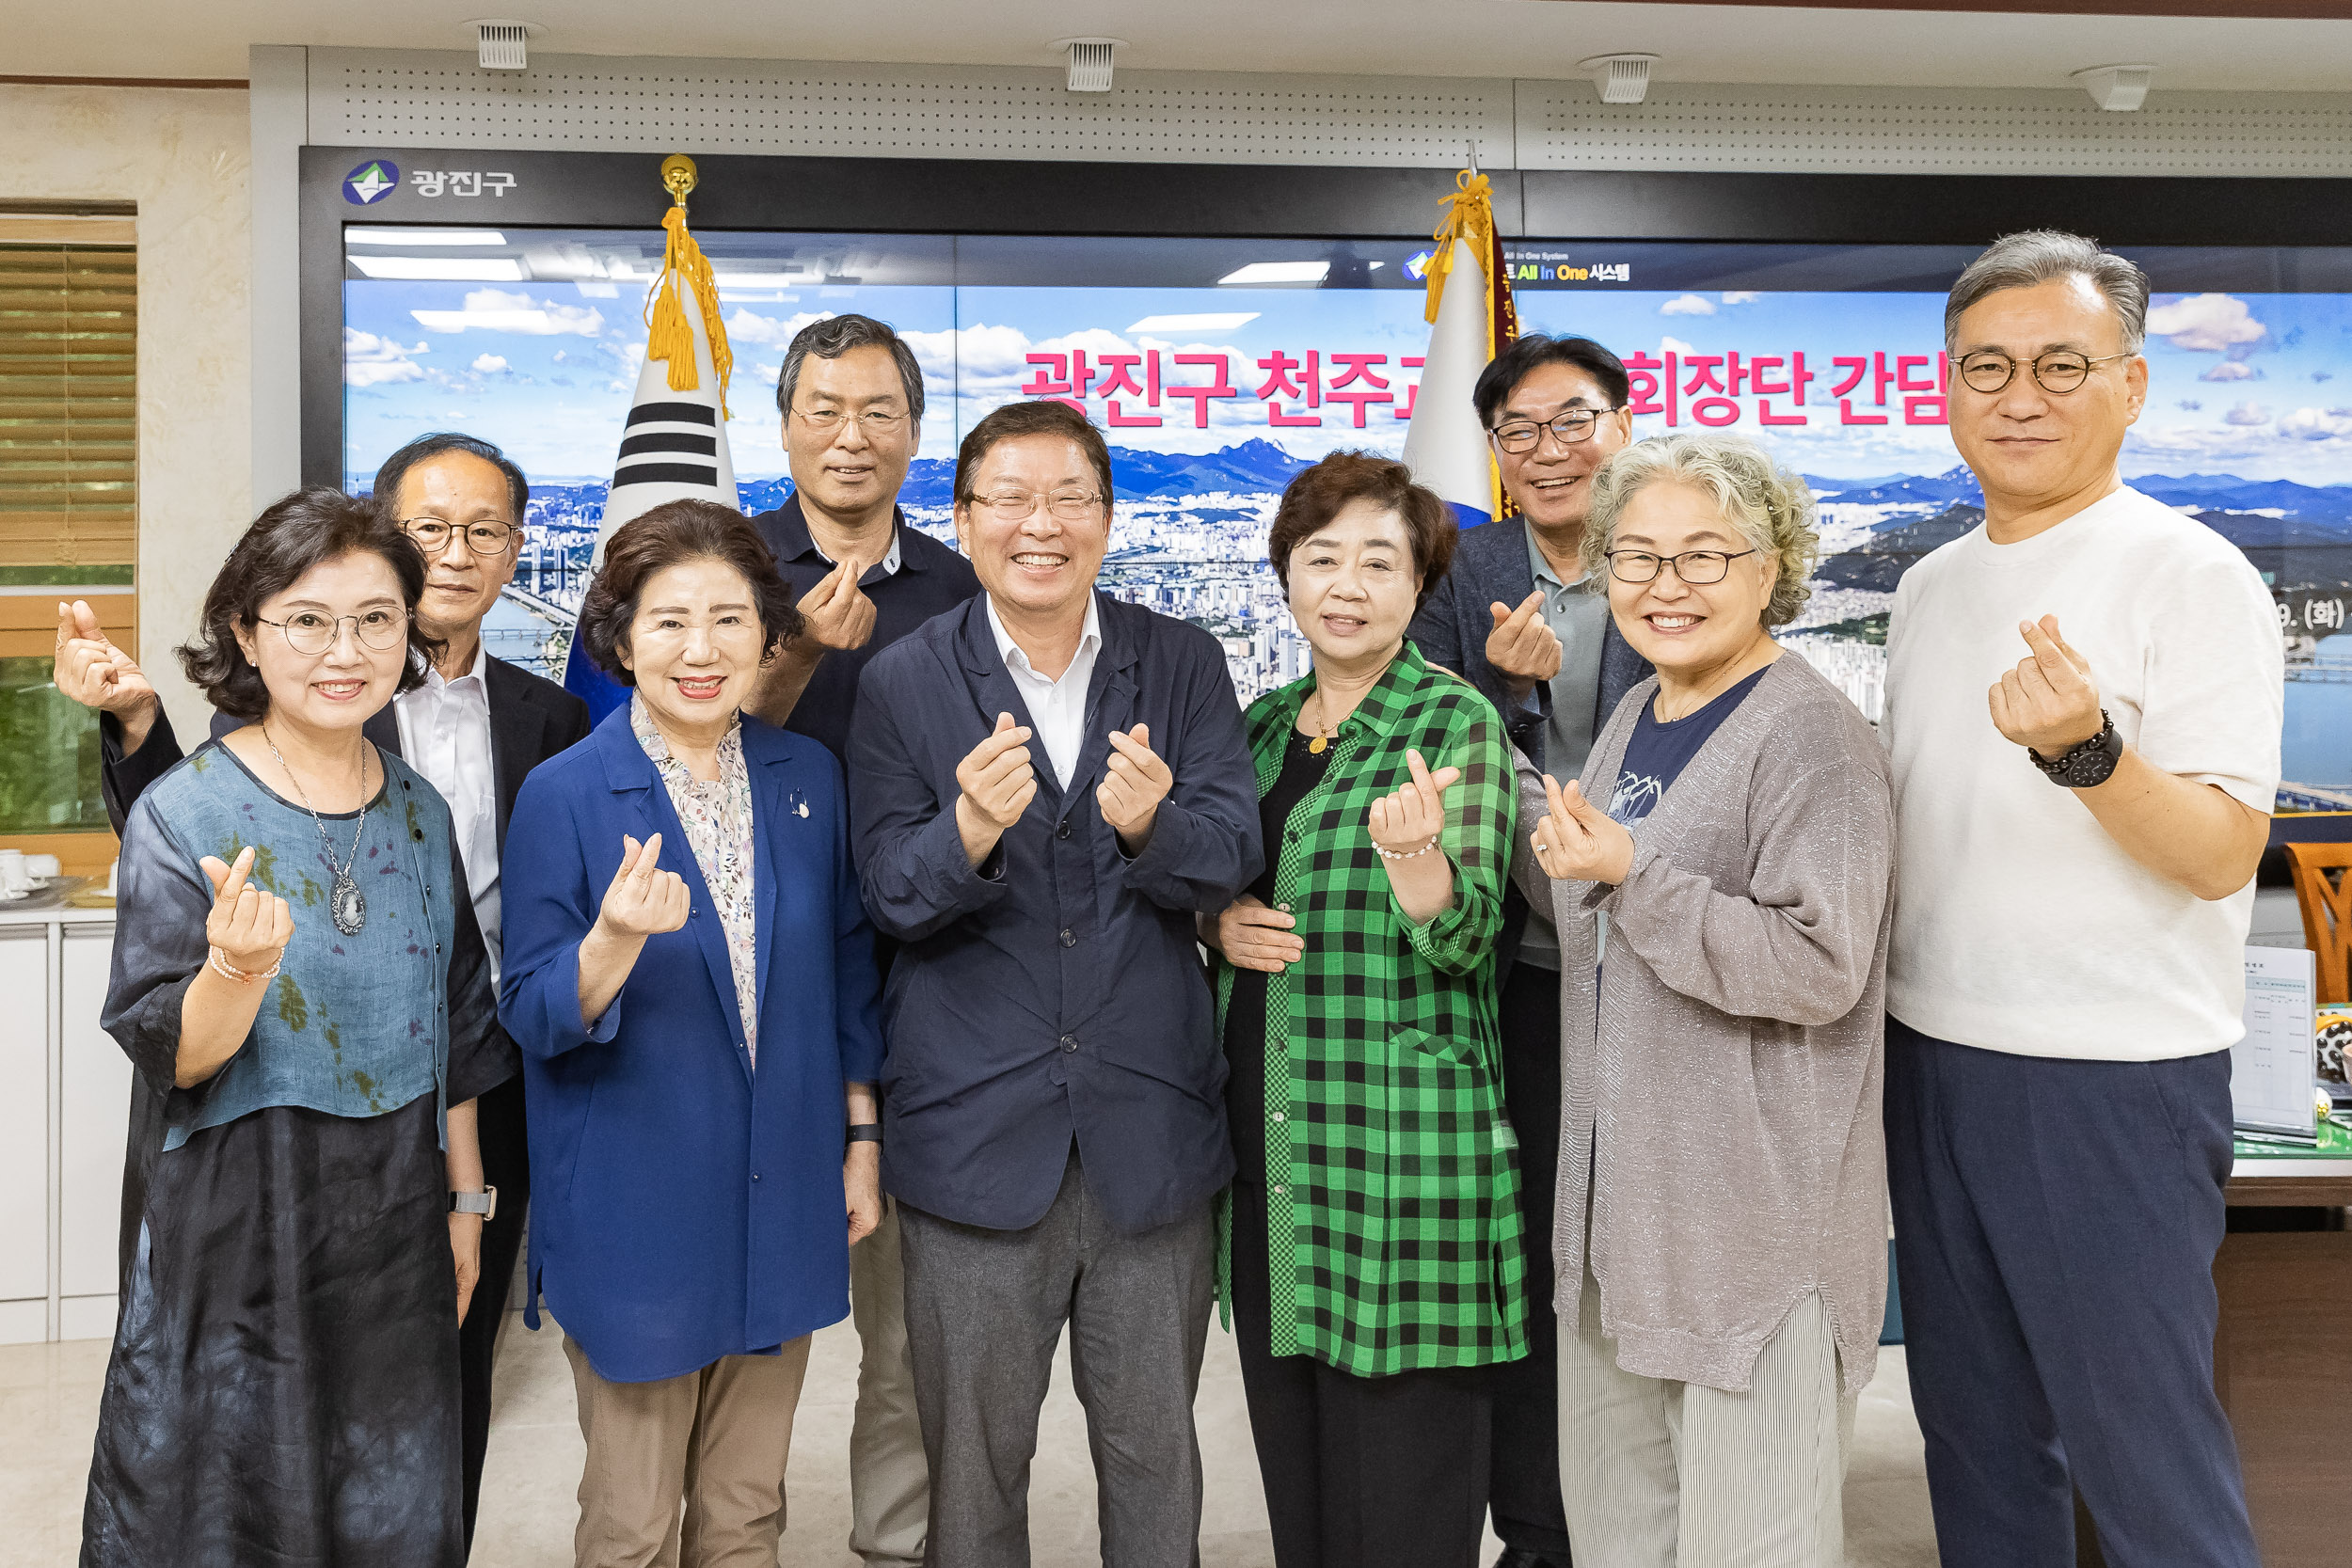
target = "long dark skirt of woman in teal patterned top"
x: 283, y: 1386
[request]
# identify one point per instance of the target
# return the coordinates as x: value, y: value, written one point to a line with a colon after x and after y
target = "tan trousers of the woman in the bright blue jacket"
x: 688, y: 1473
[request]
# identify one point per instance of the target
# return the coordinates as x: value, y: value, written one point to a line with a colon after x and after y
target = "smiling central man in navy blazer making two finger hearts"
x: 1048, y: 786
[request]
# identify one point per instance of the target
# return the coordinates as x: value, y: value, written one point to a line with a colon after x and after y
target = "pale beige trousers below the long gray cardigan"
x: 1678, y: 1475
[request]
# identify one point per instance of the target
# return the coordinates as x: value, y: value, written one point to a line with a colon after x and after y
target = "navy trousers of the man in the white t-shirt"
x: 2054, y: 1235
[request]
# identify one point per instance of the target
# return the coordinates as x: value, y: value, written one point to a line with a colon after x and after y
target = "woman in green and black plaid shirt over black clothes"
x: 1375, y: 1221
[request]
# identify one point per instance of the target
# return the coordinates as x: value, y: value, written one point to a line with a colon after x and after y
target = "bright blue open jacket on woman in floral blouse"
x: 686, y: 1207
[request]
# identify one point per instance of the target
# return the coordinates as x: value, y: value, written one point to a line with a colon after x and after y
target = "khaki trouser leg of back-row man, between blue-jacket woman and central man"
x: 890, y: 1487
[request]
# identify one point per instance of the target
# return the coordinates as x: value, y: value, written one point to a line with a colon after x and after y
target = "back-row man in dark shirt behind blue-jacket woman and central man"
x: 853, y: 420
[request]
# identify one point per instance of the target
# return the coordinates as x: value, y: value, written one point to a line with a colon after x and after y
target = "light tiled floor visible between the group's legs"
x: 48, y: 1412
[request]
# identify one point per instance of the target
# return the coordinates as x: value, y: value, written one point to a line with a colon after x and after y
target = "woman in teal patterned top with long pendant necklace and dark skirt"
x: 307, y: 1005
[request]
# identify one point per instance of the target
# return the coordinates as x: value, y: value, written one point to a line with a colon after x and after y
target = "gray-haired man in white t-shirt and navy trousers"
x: 2083, y: 704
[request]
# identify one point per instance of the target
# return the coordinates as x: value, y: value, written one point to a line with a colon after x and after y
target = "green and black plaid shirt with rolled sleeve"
x: 1391, y: 1179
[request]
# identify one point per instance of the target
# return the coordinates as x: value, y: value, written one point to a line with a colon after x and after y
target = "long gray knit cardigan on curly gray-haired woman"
x: 1723, y: 1085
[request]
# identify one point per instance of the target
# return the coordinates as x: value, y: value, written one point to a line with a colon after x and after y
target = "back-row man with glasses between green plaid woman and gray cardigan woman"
x: 1516, y: 622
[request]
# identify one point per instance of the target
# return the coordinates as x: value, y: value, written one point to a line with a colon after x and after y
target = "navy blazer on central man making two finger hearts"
x: 1055, y: 991
